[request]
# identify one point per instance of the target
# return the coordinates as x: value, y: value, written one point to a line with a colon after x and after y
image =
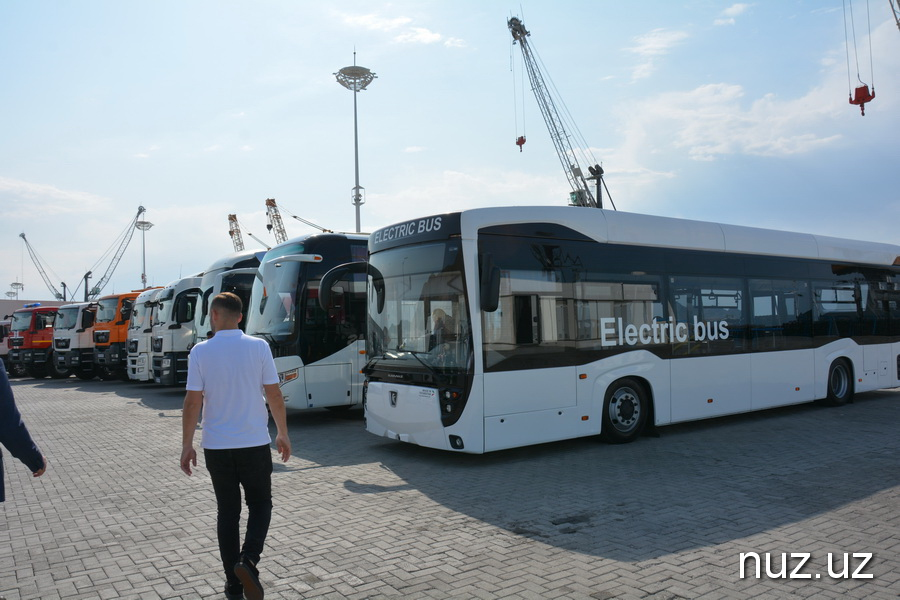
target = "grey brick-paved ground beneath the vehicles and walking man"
x: 362, y: 517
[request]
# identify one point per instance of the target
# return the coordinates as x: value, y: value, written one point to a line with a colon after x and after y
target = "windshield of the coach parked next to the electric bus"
x: 274, y: 295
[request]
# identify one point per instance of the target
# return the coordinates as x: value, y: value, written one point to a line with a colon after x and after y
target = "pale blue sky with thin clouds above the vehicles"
x: 718, y: 111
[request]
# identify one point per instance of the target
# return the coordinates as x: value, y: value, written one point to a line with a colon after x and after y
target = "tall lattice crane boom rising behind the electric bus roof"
x: 581, y: 192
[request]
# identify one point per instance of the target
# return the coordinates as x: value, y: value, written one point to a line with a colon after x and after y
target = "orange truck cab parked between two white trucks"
x: 111, y: 335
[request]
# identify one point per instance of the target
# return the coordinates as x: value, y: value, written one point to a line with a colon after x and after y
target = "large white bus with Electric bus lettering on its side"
x: 503, y: 327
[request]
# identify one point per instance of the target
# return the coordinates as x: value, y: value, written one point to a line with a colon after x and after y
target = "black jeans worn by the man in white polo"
x: 230, y: 469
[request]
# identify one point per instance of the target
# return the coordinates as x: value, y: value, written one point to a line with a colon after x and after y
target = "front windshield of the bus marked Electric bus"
x: 420, y: 317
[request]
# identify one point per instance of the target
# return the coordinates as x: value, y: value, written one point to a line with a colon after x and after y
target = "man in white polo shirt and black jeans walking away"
x: 227, y: 376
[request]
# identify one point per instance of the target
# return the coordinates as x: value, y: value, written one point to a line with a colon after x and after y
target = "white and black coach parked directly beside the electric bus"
x: 319, y: 352
